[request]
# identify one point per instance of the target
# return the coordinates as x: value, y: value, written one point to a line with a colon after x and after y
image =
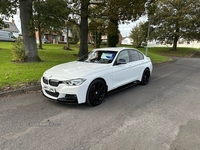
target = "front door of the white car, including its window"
x: 121, y: 71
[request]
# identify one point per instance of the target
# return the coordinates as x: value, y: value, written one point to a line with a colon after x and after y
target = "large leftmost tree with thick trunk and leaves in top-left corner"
x: 8, y: 9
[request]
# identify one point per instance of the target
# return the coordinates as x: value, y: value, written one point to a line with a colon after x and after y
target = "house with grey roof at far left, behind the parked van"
x: 12, y: 28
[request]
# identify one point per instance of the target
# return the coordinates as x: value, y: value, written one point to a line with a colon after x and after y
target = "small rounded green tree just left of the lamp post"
x: 139, y: 34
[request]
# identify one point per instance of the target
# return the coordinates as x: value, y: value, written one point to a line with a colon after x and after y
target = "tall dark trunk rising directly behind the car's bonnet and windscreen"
x: 84, y: 28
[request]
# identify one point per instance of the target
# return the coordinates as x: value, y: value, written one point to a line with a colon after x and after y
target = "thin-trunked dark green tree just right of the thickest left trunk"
x: 50, y: 15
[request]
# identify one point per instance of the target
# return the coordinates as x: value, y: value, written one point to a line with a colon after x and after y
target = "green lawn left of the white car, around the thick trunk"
x: 12, y: 73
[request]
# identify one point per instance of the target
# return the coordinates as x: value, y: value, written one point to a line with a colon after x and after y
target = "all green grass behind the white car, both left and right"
x: 13, y: 74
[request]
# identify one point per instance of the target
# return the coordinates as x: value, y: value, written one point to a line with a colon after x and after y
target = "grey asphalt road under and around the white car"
x: 164, y: 115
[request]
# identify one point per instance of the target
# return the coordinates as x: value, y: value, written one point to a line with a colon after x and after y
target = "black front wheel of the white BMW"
x: 96, y: 92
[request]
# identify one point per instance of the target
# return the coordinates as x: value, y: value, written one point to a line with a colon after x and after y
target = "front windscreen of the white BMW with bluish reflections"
x: 99, y: 56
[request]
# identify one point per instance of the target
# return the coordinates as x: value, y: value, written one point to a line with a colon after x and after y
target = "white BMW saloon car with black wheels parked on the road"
x: 88, y: 79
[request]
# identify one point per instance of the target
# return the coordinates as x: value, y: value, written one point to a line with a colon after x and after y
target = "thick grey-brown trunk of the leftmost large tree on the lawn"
x: 28, y: 31
